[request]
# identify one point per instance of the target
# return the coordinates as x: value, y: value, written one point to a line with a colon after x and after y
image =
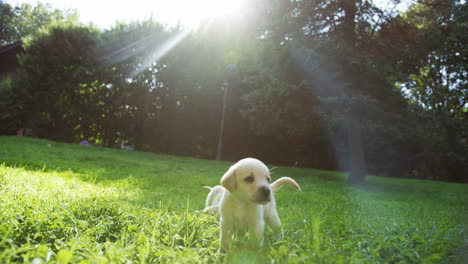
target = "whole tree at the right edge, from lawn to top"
x: 437, y: 90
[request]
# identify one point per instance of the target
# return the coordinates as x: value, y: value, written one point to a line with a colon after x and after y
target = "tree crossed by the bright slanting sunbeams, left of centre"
x: 134, y: 96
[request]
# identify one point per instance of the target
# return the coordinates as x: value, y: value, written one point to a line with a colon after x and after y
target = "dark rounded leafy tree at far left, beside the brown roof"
x: 58, y: 98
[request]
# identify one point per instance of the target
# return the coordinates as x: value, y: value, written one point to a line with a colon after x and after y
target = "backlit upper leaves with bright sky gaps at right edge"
x: 439, y: 82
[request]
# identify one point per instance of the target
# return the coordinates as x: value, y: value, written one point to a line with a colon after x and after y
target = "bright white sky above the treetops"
x: 104, y: 13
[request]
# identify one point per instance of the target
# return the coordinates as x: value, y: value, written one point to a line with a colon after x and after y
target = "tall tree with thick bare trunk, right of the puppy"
x: 334, y: 43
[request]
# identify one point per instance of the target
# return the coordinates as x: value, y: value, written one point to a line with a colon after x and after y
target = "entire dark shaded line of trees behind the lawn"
x: 336, y: 84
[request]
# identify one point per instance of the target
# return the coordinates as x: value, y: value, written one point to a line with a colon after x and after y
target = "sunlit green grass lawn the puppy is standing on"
x: 63, y: 203
